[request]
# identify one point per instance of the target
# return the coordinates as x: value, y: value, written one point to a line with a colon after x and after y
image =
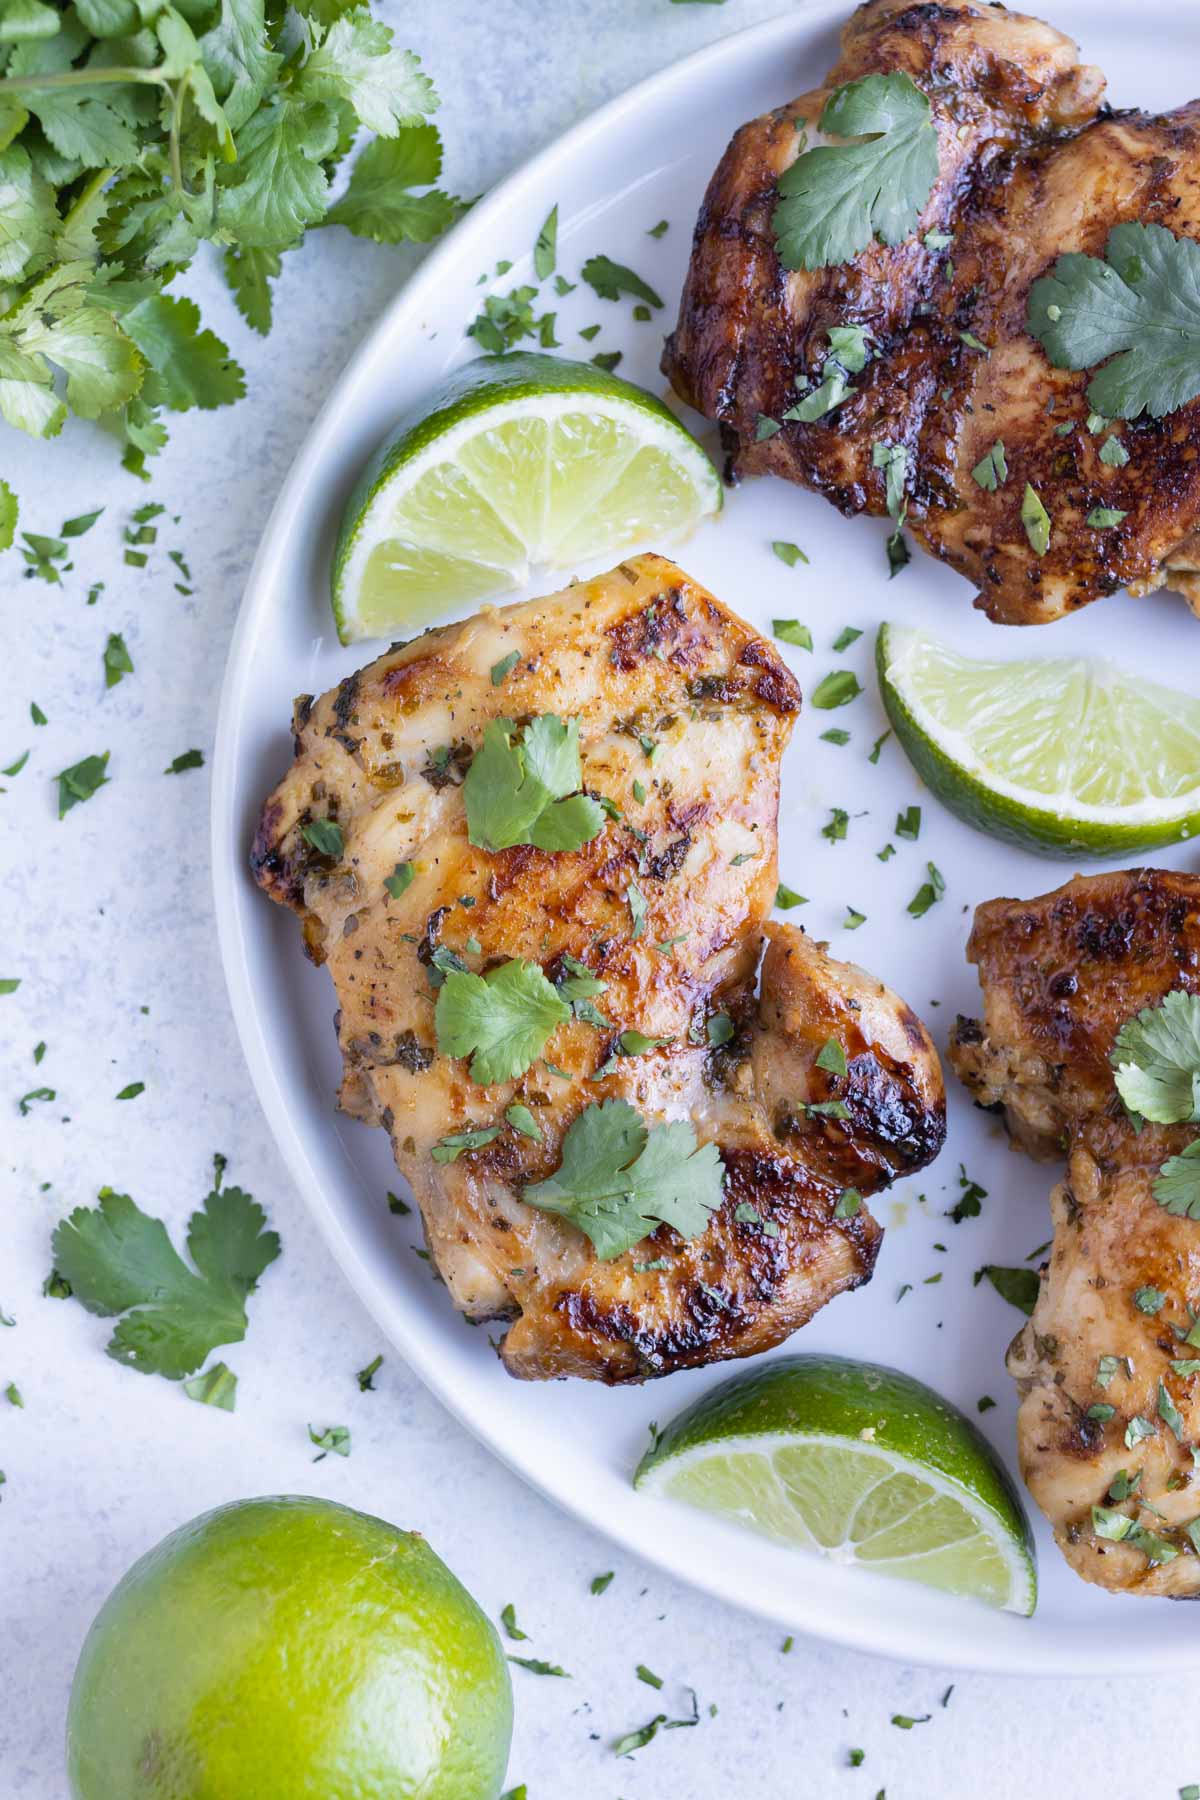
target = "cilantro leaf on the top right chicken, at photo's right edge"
x: 1140, y: 307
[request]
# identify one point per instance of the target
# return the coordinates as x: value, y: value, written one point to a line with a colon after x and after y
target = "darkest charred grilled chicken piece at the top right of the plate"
x: 1028, y: 170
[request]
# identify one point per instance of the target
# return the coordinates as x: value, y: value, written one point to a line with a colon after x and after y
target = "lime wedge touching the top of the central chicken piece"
x: 519, y: 465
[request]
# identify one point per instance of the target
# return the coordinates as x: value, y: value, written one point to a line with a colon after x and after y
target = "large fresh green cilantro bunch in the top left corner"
x: 134, y: 130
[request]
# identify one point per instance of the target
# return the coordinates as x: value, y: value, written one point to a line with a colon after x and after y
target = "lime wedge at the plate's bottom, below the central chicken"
x: 859, y: 1464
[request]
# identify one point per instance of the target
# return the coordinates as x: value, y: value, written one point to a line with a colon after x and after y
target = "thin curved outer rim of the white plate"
x: 852, y: 1630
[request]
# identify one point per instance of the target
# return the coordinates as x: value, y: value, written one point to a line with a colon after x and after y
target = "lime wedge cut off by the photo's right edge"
x: 1066, y: 757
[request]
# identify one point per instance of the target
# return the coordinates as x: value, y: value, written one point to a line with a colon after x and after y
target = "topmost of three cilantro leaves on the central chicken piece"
x: 528, y: 793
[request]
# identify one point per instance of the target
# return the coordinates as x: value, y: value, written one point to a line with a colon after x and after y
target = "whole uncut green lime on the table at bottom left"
x: 291, y: 1650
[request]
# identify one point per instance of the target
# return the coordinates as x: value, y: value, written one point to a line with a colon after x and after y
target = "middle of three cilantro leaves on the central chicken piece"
x: 501, y: 1020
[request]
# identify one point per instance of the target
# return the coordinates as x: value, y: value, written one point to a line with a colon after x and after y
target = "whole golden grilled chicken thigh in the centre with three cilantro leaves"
x: 638, y: 654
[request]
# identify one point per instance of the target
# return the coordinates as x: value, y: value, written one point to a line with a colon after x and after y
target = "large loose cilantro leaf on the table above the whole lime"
x: 118, y: 1261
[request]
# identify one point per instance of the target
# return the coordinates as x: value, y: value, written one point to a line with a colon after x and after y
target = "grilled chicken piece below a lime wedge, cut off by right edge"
x: 1061, y: 976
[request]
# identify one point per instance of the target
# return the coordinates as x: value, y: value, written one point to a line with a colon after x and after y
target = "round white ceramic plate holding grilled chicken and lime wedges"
x: 641, y: 159
